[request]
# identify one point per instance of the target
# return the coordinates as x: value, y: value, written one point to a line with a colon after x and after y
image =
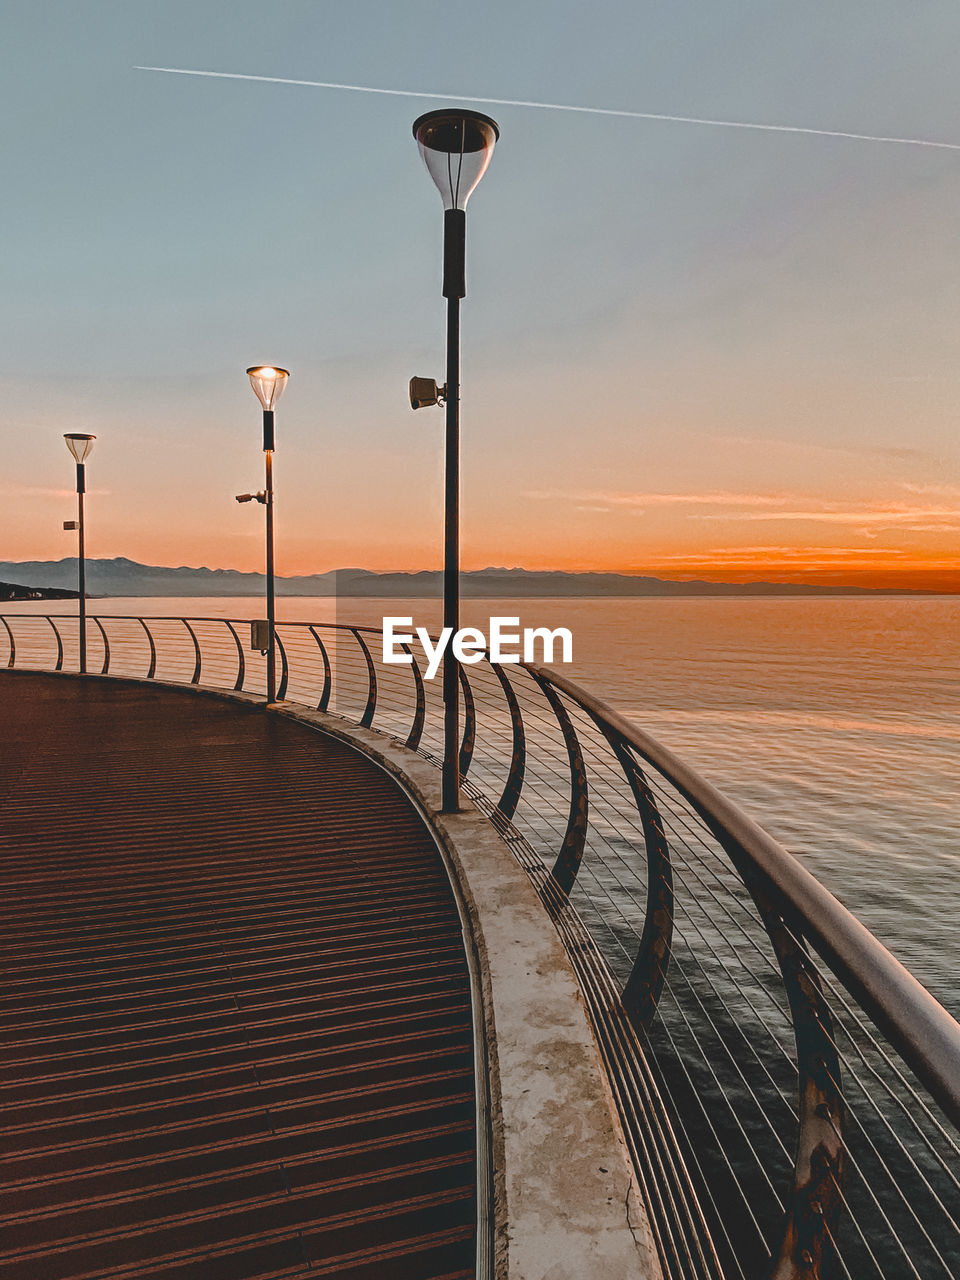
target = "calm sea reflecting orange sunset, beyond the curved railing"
x: 835, y: 723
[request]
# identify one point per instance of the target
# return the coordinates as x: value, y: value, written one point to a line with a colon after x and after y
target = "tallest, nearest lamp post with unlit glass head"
x: 456, y: 147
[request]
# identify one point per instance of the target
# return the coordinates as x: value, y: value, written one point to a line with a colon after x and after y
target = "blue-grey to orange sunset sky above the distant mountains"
x: 688, y: 350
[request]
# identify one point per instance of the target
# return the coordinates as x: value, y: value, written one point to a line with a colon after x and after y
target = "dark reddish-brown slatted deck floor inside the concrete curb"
x: 235, y: 1009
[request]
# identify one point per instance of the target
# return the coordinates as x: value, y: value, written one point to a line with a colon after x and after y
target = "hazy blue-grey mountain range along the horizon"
x: 124, y: 577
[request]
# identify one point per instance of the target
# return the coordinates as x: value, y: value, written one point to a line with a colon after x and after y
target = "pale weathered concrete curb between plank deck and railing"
x: 565, y: 1200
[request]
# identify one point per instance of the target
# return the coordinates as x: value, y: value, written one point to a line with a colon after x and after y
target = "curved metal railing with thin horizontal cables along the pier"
x: 790, y: 1094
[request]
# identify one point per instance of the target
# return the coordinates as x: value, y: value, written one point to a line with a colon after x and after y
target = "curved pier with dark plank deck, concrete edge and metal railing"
x: 273, y: 1013
